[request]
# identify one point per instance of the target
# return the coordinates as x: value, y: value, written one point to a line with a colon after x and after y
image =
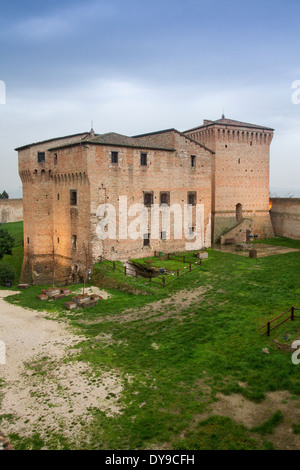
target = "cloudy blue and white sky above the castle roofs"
x: 136, y: 66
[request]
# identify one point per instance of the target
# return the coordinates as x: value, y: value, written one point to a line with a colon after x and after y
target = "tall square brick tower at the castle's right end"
x: 240, y: 173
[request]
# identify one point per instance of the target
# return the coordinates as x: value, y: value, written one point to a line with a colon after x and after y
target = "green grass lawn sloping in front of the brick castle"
x: 213, y: 341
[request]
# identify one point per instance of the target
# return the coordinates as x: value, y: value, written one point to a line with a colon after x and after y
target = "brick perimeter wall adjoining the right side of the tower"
x: 285, y: 217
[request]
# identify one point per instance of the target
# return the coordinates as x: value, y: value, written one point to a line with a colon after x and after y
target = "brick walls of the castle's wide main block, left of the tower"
x: 51, y: 222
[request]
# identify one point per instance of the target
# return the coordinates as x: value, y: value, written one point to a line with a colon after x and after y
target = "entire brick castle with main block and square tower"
x: 221, y: 167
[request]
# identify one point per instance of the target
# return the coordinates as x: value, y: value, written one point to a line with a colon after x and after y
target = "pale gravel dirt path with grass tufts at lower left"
x: 43, y: 392
